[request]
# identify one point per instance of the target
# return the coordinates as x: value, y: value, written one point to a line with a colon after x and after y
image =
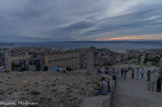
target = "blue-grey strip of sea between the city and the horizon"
x: 118, y: 46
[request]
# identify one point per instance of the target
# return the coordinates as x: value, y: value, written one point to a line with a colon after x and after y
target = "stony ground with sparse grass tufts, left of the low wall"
x: 49, y: 89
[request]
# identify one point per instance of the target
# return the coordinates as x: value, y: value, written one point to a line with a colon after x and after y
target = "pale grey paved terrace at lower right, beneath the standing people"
x: 134, y: 93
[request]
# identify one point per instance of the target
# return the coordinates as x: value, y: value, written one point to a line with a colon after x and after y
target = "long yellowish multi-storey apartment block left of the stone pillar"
x: 66, y: 59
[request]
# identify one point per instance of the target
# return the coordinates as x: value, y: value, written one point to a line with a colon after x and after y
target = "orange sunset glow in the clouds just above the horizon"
x: 142, y: 37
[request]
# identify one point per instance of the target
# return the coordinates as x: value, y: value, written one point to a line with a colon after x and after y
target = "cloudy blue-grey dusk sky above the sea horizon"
x: 80, y: 20
